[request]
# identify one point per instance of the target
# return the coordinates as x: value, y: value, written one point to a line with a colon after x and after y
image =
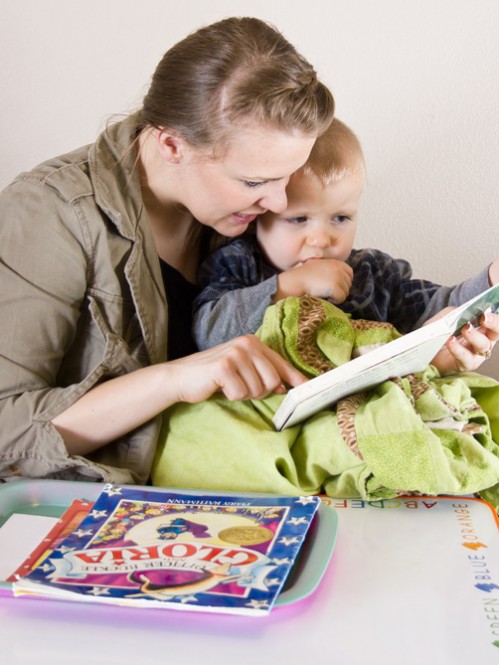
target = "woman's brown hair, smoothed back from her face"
x: 229, y: 71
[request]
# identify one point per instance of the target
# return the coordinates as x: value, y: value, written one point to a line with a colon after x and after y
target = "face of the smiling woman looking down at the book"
x: 229, y: 191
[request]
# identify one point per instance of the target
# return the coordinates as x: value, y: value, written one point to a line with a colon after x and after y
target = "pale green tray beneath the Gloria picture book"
x: 52, y: 497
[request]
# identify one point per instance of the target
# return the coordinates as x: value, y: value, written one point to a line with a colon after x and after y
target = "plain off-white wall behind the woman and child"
x: 417, y: 80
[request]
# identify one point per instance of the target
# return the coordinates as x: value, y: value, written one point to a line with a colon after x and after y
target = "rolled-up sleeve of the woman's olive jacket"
x: 43, y: 278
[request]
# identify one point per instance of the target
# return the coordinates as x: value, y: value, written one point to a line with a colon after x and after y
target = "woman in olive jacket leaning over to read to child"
x: 100, y: 248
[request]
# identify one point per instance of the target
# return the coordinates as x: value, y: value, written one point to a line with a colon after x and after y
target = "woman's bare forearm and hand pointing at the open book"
x: 243, y: 368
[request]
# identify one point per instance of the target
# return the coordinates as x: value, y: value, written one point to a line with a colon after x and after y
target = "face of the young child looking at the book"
x: 319, y: 222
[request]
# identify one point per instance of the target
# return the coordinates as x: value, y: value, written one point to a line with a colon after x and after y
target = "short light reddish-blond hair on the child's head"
x: 336, y: 153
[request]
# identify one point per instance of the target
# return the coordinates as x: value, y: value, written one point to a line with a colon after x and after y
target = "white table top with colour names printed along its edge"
x: 401, y: 588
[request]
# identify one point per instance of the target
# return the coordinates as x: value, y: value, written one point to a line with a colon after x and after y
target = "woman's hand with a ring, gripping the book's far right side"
x: 471, y: 348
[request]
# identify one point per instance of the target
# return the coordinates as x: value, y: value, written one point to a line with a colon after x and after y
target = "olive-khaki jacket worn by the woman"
x: 81, y: 301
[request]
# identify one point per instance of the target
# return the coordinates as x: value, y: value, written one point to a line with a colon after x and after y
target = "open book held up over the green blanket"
x: 405, y: 355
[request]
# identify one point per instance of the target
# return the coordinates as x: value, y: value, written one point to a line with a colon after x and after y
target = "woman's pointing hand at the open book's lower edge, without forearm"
x: 243, y: 368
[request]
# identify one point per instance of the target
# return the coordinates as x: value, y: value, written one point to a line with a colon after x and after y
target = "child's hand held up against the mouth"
x: 322, y: 278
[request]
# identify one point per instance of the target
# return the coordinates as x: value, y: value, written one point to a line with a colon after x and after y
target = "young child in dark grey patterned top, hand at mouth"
x: 307, y: 249
